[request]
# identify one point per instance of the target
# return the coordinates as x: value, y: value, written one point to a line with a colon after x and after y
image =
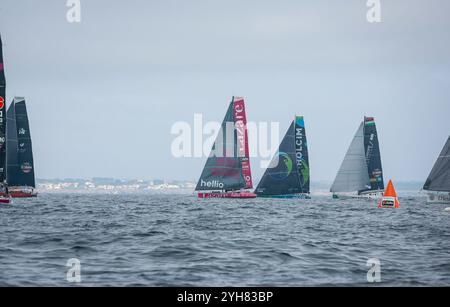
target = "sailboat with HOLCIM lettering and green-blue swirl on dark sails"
x: 288, y: 173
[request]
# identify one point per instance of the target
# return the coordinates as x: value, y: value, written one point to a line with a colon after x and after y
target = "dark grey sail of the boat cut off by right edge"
x: 439, y: 178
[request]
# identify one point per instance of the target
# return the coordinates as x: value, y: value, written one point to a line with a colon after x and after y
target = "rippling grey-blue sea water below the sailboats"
x: 178, y: 240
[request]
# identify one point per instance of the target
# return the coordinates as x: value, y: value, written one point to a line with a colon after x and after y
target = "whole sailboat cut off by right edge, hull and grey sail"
x: 438, y: 182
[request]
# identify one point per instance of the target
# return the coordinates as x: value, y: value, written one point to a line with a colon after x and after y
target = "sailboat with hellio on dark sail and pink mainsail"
x: 227, y: 172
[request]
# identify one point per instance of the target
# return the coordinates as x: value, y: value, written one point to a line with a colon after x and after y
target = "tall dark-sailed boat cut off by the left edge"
x: 4, y: 198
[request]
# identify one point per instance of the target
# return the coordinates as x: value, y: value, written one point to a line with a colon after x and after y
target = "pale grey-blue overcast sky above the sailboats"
x: 103, y: 94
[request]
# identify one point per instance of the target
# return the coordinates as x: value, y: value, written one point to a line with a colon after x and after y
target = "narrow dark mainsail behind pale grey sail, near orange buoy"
x: 373, y: 157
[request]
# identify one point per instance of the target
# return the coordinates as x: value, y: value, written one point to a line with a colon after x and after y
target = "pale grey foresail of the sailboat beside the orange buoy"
x: 353, y: 173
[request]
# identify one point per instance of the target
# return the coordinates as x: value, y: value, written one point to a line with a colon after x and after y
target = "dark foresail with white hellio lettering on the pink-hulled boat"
x: 224, y: 170
